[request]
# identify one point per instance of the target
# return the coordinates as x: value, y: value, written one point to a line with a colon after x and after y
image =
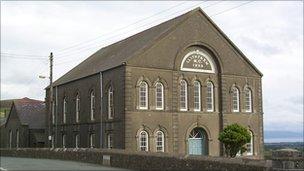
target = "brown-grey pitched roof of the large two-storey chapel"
x: 120, y: 52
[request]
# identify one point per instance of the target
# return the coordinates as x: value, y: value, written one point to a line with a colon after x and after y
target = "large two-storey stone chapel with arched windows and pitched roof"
x: 171, y: 88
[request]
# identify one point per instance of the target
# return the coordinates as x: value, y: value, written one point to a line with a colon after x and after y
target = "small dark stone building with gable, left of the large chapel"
x: 25, y: 124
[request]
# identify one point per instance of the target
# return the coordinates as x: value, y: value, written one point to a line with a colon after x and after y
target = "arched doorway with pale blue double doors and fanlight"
x: 197, y: 142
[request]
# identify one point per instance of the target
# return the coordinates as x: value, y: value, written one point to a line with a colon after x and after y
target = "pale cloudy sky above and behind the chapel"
x: 269, y: 33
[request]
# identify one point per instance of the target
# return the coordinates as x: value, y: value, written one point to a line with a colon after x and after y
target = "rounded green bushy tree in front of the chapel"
x: 234, y: 137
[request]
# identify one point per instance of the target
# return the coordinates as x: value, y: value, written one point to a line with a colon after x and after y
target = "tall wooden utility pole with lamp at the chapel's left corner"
x: 51, y: 99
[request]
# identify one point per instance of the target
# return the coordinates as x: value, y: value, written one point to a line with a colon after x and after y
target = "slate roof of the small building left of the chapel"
x: 30, y: 112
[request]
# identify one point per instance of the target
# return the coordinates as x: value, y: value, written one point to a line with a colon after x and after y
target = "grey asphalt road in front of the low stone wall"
x: 14, y: 163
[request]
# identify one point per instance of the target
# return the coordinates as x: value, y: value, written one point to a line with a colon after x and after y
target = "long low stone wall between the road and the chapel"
x: 142, y: 160
